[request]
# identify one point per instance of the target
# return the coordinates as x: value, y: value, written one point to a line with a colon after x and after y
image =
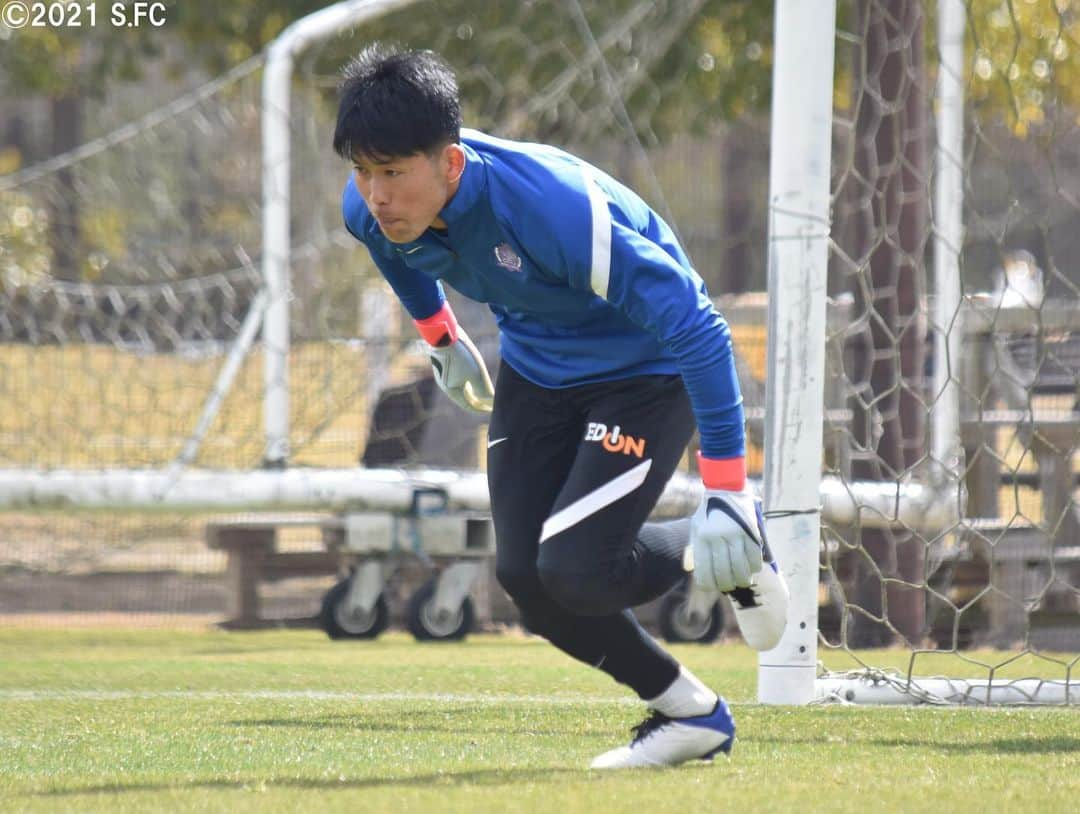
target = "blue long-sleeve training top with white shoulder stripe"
x: 587, y: 283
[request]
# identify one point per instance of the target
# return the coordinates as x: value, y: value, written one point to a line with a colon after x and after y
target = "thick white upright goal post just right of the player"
x: 799, y: 268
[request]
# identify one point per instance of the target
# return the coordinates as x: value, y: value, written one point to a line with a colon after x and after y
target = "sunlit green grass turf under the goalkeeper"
x: 175, y: 722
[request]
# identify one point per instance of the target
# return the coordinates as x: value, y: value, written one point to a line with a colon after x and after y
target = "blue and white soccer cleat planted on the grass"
x: 660, y: 741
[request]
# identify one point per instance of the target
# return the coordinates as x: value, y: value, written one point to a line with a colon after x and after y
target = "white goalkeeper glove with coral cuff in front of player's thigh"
x: 460, y: 370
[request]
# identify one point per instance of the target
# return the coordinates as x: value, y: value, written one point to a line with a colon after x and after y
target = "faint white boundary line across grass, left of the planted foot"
x: 18, y: 695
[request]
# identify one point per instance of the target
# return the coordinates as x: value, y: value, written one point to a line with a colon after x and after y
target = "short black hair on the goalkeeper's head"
x: 397, y: 103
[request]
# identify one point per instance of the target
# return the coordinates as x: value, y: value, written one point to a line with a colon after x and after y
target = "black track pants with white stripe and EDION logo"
x: 574, y: 474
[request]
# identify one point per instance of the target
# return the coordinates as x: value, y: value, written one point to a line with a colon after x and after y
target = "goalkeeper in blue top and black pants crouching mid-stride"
x: 612, y: 354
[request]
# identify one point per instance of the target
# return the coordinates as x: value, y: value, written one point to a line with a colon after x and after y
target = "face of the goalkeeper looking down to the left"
x: 407, y: 194
